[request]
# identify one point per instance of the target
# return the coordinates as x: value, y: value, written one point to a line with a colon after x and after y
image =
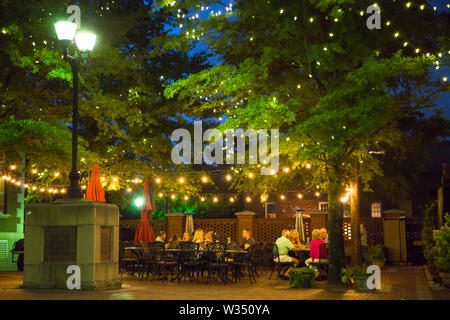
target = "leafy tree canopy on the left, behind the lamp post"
x: 125, y: 120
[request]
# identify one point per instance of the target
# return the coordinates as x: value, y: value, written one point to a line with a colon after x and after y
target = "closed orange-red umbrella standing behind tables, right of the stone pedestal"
x: 144, y: 231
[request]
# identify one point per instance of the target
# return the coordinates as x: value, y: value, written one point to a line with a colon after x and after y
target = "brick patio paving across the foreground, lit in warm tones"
x: 398, y: 283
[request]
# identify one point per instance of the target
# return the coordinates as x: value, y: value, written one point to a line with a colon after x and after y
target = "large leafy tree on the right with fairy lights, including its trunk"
x: 334, y: 88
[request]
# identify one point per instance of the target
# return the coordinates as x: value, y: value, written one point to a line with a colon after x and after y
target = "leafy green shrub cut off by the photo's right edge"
x: 441, y: 251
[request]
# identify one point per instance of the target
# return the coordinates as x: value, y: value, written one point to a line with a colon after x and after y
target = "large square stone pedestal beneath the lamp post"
x: 72, y: 232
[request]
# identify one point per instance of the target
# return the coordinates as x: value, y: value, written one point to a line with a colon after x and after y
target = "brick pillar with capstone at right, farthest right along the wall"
x: 394, y: 230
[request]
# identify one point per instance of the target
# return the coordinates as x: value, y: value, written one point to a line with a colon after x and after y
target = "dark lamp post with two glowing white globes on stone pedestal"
x: 85, y: 43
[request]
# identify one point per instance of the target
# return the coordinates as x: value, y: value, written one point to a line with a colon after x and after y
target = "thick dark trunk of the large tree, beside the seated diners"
x: 336, y: 253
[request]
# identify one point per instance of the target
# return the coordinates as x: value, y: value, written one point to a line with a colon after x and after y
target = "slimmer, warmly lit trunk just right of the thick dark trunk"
x: 355, y: 221
